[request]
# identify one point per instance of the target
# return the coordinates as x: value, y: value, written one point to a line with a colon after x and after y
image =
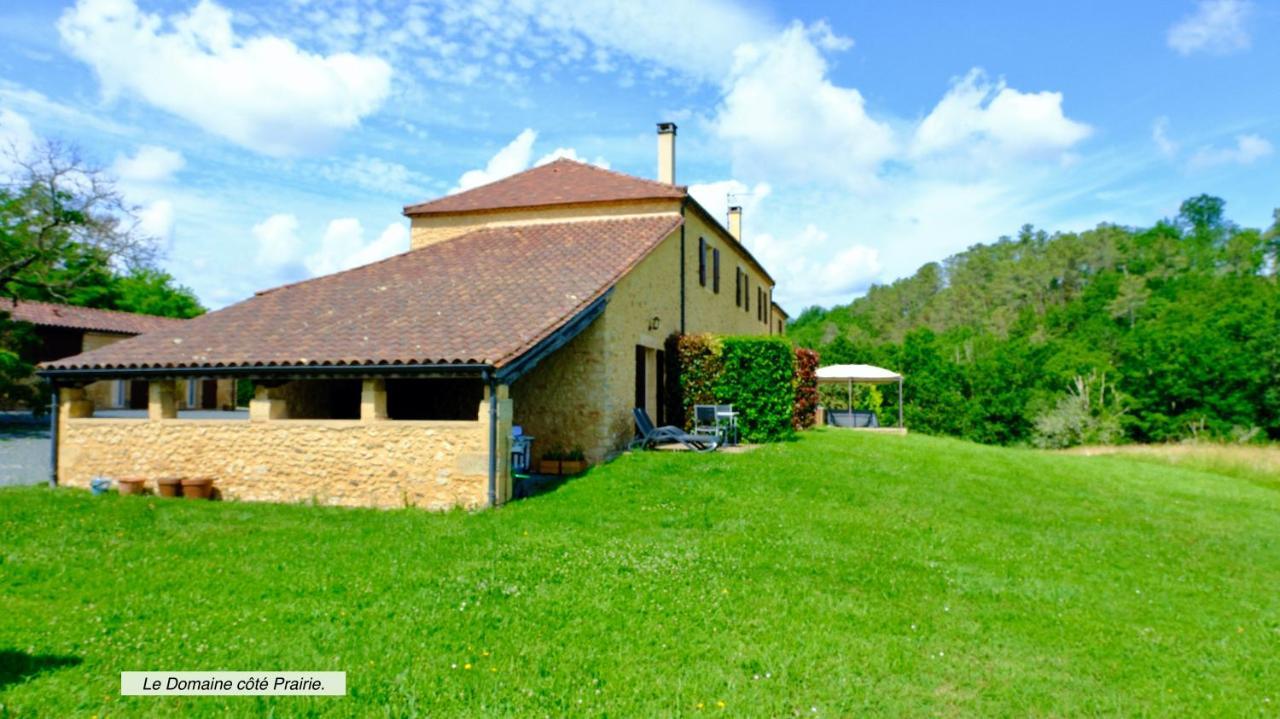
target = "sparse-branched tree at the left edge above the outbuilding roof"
x: 57, y: 212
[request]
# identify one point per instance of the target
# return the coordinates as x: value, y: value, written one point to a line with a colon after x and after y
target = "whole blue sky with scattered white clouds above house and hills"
x: 271, y: 143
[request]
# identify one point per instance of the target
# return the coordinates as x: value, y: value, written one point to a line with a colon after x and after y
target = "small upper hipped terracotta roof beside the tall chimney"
x: 563, y: 182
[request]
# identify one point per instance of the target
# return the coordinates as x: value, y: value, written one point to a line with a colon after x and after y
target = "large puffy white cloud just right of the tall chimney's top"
x: 783, y: 118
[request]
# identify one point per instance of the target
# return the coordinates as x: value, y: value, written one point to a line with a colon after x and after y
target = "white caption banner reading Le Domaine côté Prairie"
x: 234, y: 684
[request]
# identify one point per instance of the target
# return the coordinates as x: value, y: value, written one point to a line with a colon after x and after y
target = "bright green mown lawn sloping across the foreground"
x: 839, y: 575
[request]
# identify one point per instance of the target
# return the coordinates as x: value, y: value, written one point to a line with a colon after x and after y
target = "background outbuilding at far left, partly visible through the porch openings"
x: 63, y: 331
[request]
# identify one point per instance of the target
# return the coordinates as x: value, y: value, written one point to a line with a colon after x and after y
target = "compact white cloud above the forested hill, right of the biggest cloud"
x: 994, y: 122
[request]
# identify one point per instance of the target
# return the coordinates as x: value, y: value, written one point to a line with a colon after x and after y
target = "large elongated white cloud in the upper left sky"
x: 262, y: 93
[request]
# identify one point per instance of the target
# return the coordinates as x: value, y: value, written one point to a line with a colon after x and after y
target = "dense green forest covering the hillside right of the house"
x: 1109, y: 336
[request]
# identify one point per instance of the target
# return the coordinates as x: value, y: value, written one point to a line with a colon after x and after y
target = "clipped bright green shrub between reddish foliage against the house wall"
x: 758, y: 379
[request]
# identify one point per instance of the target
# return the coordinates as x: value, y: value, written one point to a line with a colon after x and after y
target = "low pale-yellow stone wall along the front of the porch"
x: 429, y: 465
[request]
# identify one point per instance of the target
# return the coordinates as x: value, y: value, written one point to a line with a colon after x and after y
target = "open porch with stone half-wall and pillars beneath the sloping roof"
x: 362, y: 437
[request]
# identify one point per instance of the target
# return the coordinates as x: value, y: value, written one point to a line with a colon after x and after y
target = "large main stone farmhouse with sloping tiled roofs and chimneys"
x: 542, y: 300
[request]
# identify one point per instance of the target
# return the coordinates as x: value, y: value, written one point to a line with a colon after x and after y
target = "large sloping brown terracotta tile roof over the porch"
x: 486, y: 297
